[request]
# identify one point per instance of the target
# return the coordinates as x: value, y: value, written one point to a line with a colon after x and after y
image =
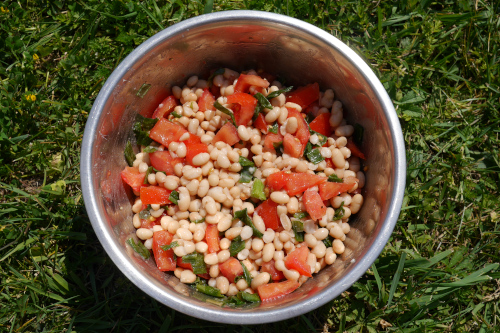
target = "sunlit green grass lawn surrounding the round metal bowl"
x: 439, y: 61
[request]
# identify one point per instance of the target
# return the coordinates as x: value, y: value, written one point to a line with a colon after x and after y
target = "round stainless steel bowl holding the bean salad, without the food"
x: 297, y: 52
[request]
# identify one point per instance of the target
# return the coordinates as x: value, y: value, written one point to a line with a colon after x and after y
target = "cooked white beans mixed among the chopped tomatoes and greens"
x: 211, y: 190
